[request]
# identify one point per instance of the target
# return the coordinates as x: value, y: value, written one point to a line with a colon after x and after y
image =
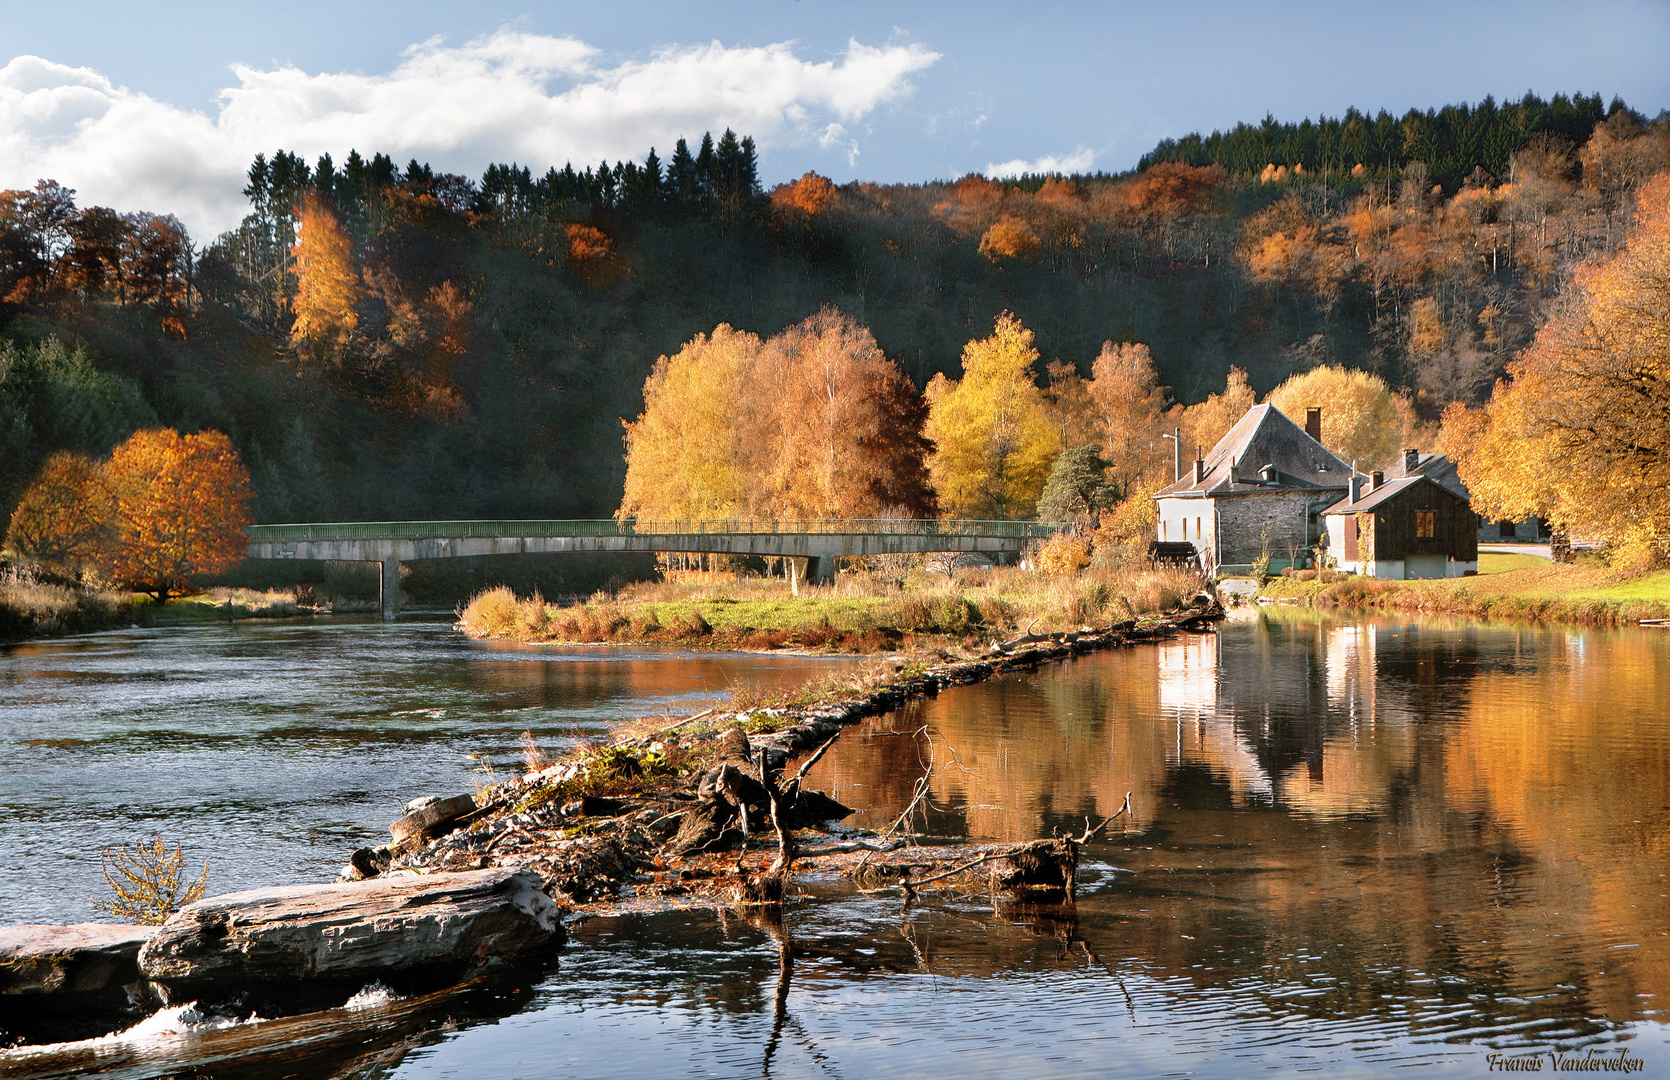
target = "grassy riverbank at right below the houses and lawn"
x: 1529, y: 590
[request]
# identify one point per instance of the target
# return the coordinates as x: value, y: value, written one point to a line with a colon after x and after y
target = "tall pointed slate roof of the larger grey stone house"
x: 1262, y: 438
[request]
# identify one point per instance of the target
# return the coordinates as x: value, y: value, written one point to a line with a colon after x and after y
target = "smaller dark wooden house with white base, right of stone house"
x: 1419, y: 525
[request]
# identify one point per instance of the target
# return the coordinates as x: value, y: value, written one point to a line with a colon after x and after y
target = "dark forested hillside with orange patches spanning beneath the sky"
x: 387, y: 341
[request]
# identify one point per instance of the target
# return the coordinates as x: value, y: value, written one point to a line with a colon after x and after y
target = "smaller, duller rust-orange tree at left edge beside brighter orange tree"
x: 63, y: 523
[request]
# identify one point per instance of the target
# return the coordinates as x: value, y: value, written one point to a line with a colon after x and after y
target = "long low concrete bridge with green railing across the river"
x: 821, y: 543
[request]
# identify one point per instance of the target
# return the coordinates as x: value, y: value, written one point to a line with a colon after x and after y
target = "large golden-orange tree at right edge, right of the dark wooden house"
x: 1581, y: 431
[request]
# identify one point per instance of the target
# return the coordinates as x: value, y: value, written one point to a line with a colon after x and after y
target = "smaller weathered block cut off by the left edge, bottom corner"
x: 69, y: 982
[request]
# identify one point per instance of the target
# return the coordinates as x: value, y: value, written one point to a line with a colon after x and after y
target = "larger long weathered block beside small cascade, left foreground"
x: 291, y: 949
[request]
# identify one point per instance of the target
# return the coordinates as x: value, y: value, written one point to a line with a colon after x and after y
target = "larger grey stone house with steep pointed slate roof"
x: 1258, y: 493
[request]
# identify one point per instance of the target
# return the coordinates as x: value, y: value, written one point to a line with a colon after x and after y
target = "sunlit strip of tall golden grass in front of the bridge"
x: 858, y: 615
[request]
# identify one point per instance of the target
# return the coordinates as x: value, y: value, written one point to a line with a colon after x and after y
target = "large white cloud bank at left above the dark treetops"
x: 535, y: 99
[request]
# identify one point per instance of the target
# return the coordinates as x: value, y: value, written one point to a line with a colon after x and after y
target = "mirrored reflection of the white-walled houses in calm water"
x: 1310, y: 737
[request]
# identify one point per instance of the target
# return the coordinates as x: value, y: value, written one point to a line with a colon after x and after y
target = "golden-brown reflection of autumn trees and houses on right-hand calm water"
x: 1440, y: 804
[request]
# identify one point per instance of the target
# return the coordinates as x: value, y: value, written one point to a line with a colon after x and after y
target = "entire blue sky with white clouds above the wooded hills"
x: 161, y: 108
